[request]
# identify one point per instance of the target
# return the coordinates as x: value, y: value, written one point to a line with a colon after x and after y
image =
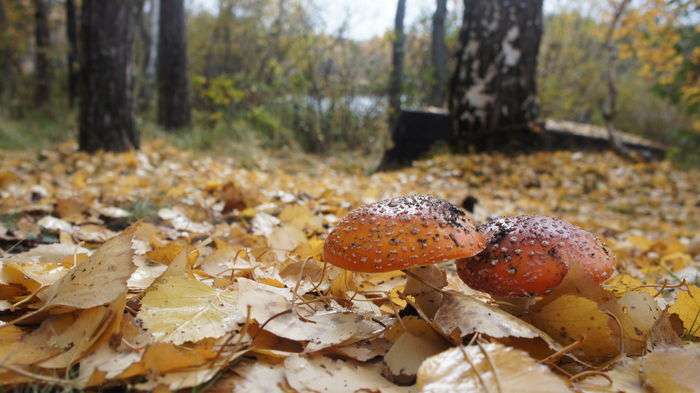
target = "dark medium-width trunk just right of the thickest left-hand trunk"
x: 173, y: 83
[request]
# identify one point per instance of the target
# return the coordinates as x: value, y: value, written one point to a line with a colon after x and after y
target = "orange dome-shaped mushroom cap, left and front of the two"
x: 401, y: 232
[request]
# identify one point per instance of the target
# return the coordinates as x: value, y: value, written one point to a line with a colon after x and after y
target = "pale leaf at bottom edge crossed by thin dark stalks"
x: 495, y: 368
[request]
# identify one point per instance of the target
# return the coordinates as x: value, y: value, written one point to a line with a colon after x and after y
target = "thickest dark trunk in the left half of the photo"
x: 106, y: 99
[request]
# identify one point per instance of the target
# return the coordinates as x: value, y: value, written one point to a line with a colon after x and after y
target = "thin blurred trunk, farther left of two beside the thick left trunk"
x: 42, y: 76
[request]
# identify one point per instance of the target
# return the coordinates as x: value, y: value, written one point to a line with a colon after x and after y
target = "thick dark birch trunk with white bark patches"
x: 493, y: 89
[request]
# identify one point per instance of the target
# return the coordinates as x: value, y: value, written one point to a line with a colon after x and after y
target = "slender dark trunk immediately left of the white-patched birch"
x: 438, y: 51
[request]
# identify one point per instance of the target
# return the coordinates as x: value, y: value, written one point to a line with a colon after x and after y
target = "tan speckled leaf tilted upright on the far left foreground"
x: 98, y: 281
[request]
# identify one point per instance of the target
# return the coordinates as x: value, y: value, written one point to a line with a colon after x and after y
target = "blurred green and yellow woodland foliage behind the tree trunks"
x: 270, y: 73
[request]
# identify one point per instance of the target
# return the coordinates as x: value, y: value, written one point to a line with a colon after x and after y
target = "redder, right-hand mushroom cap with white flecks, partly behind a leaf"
x: 531, y: 255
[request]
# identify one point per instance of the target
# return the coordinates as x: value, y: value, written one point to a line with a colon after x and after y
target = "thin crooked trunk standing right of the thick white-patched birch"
x: 609, y: 107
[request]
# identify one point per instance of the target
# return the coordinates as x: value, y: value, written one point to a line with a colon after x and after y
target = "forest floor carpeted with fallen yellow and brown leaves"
x: 244, y: 244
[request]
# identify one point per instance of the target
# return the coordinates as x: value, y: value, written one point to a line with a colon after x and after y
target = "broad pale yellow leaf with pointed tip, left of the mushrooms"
x: 178, y: 308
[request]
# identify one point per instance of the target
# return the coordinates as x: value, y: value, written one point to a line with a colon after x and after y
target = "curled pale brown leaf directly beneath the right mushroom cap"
x: 461, y: 315
